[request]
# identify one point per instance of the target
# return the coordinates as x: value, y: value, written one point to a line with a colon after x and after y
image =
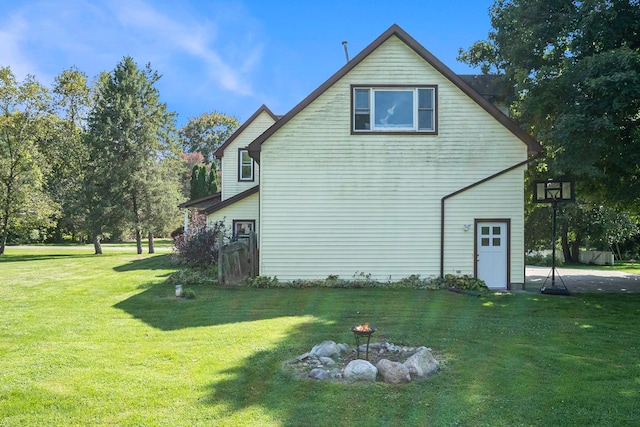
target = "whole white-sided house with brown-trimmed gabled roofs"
x: 394, y: 166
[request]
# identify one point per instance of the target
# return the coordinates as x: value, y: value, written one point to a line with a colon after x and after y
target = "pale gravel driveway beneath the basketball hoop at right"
x: 577, y: 281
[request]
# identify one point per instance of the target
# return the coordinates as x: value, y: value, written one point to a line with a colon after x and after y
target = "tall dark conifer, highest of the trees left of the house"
x: 130, y: 131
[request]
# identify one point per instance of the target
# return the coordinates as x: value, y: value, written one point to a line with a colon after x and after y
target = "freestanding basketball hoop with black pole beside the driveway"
x: 553, y: 192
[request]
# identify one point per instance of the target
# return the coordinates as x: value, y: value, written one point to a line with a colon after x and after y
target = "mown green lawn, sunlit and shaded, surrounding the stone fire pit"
x: 102, y: 340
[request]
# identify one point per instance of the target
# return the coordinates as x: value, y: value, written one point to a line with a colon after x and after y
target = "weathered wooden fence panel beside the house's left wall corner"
x: 237, y: 261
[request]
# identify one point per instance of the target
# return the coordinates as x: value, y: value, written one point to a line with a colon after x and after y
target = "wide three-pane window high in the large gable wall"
x: 394, y: 109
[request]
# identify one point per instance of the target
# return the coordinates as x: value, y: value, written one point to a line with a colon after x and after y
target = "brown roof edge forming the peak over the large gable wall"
x: 395, y: 30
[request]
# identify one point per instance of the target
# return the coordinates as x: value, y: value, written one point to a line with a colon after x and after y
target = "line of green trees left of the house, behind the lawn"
x: 88, y: 161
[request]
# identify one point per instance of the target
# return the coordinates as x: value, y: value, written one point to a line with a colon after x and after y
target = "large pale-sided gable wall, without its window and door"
x: 336, y: 203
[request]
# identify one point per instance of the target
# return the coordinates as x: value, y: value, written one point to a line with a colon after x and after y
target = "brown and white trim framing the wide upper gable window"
x: 416, y: 109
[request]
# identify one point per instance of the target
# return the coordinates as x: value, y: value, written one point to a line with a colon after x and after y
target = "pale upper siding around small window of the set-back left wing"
x: 229, y: 164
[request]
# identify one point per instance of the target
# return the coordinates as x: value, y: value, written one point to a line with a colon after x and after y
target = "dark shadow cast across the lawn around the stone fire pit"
x: 498, y: 349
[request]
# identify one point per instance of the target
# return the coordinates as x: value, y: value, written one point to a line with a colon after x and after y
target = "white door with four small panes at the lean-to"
x: 491, y: 257
